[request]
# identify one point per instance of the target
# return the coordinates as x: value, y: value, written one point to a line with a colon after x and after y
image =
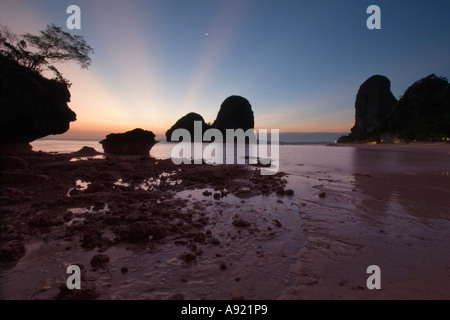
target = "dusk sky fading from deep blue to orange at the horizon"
x: 300, y: 63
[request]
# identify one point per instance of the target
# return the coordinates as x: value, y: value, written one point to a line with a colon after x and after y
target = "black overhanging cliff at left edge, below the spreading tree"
x: 32, y: 107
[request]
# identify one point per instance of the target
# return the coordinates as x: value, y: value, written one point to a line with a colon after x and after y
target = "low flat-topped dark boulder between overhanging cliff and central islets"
x: 135, y: 142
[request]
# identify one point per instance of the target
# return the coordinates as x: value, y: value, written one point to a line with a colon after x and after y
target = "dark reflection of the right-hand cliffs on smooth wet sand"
x: 414, y: 183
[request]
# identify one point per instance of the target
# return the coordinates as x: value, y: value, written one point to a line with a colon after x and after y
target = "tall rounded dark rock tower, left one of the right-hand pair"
x: 373, y: 102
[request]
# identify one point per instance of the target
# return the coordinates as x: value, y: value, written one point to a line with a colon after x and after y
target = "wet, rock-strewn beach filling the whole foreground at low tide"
x: 226, y: 232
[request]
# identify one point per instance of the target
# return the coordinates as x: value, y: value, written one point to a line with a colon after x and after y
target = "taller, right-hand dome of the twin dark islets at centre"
x: 235, y: 113
